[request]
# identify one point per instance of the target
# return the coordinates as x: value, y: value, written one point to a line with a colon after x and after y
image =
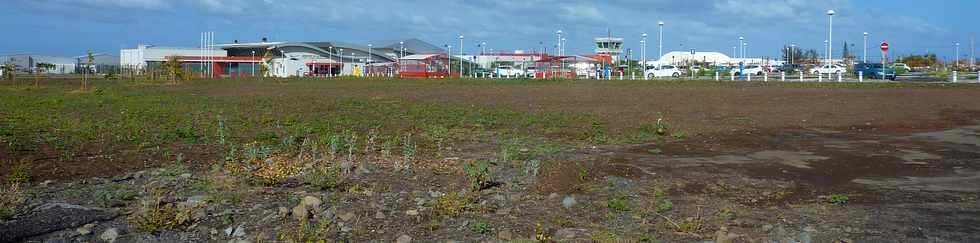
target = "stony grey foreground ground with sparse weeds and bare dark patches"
x: 796, y: 186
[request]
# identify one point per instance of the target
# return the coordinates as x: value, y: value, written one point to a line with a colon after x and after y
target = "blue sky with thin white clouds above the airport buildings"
x: 71, y: 27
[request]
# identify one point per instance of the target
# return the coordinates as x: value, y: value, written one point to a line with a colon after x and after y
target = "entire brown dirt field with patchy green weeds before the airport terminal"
x: 567, y: 161
